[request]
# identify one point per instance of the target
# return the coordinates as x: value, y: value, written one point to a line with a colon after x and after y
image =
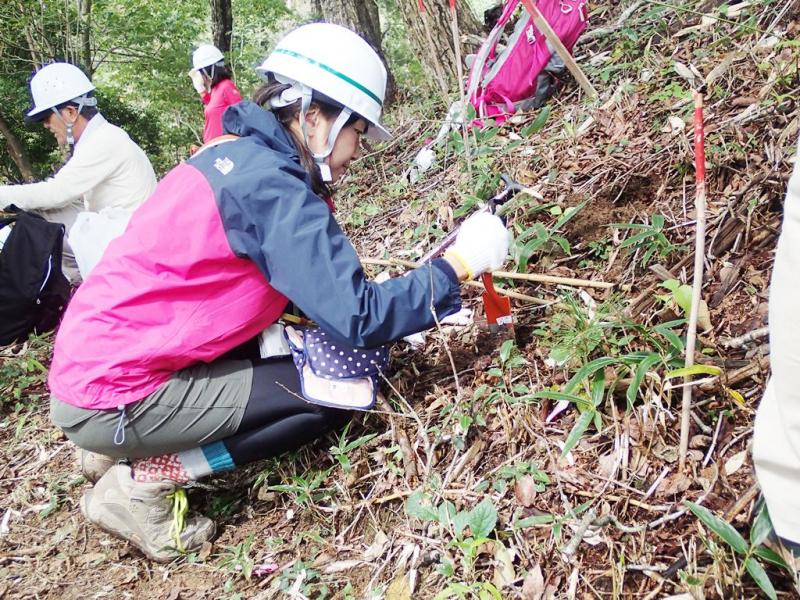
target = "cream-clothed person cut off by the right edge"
x: 776, y: 442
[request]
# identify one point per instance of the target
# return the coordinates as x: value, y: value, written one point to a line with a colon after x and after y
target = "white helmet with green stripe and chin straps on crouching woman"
x: 338, y: 64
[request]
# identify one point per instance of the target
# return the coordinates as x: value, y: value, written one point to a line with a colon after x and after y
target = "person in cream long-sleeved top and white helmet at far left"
x: 107, y: 176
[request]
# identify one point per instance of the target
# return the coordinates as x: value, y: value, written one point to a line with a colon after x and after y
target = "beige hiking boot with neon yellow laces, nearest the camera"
x: 142, y: 513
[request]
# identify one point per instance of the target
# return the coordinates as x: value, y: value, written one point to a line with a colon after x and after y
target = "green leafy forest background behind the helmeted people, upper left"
x: 140, y: 73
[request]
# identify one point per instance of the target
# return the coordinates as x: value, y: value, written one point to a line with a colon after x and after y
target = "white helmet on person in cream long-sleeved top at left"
x: 56, y: 84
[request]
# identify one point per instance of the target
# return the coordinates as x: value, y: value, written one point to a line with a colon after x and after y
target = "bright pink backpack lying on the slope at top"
x: 499, y: 83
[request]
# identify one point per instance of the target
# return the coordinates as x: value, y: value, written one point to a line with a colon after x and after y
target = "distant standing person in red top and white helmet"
x: 213, y: 82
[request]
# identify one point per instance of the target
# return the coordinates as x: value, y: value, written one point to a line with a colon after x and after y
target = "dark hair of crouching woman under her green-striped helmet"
x: 288, y: 114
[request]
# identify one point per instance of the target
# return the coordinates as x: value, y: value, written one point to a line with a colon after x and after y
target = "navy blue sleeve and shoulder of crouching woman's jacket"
x: 271, y: 216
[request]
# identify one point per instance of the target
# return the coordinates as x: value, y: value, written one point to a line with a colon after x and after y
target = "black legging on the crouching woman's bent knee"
x: 277, y: 418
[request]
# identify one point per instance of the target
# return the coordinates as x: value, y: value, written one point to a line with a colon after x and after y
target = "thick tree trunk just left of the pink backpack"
x: 431, y: 36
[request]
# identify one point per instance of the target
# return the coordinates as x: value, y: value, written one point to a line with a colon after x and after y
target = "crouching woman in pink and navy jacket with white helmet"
x: 142, y: 366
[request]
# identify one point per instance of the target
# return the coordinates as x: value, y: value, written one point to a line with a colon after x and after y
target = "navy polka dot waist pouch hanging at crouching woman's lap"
x: 335, y: 374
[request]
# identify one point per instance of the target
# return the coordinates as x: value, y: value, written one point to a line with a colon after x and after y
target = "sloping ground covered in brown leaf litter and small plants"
x: 399, y: 505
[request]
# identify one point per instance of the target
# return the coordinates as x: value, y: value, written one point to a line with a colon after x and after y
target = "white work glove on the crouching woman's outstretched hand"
x: 481, y: 244
